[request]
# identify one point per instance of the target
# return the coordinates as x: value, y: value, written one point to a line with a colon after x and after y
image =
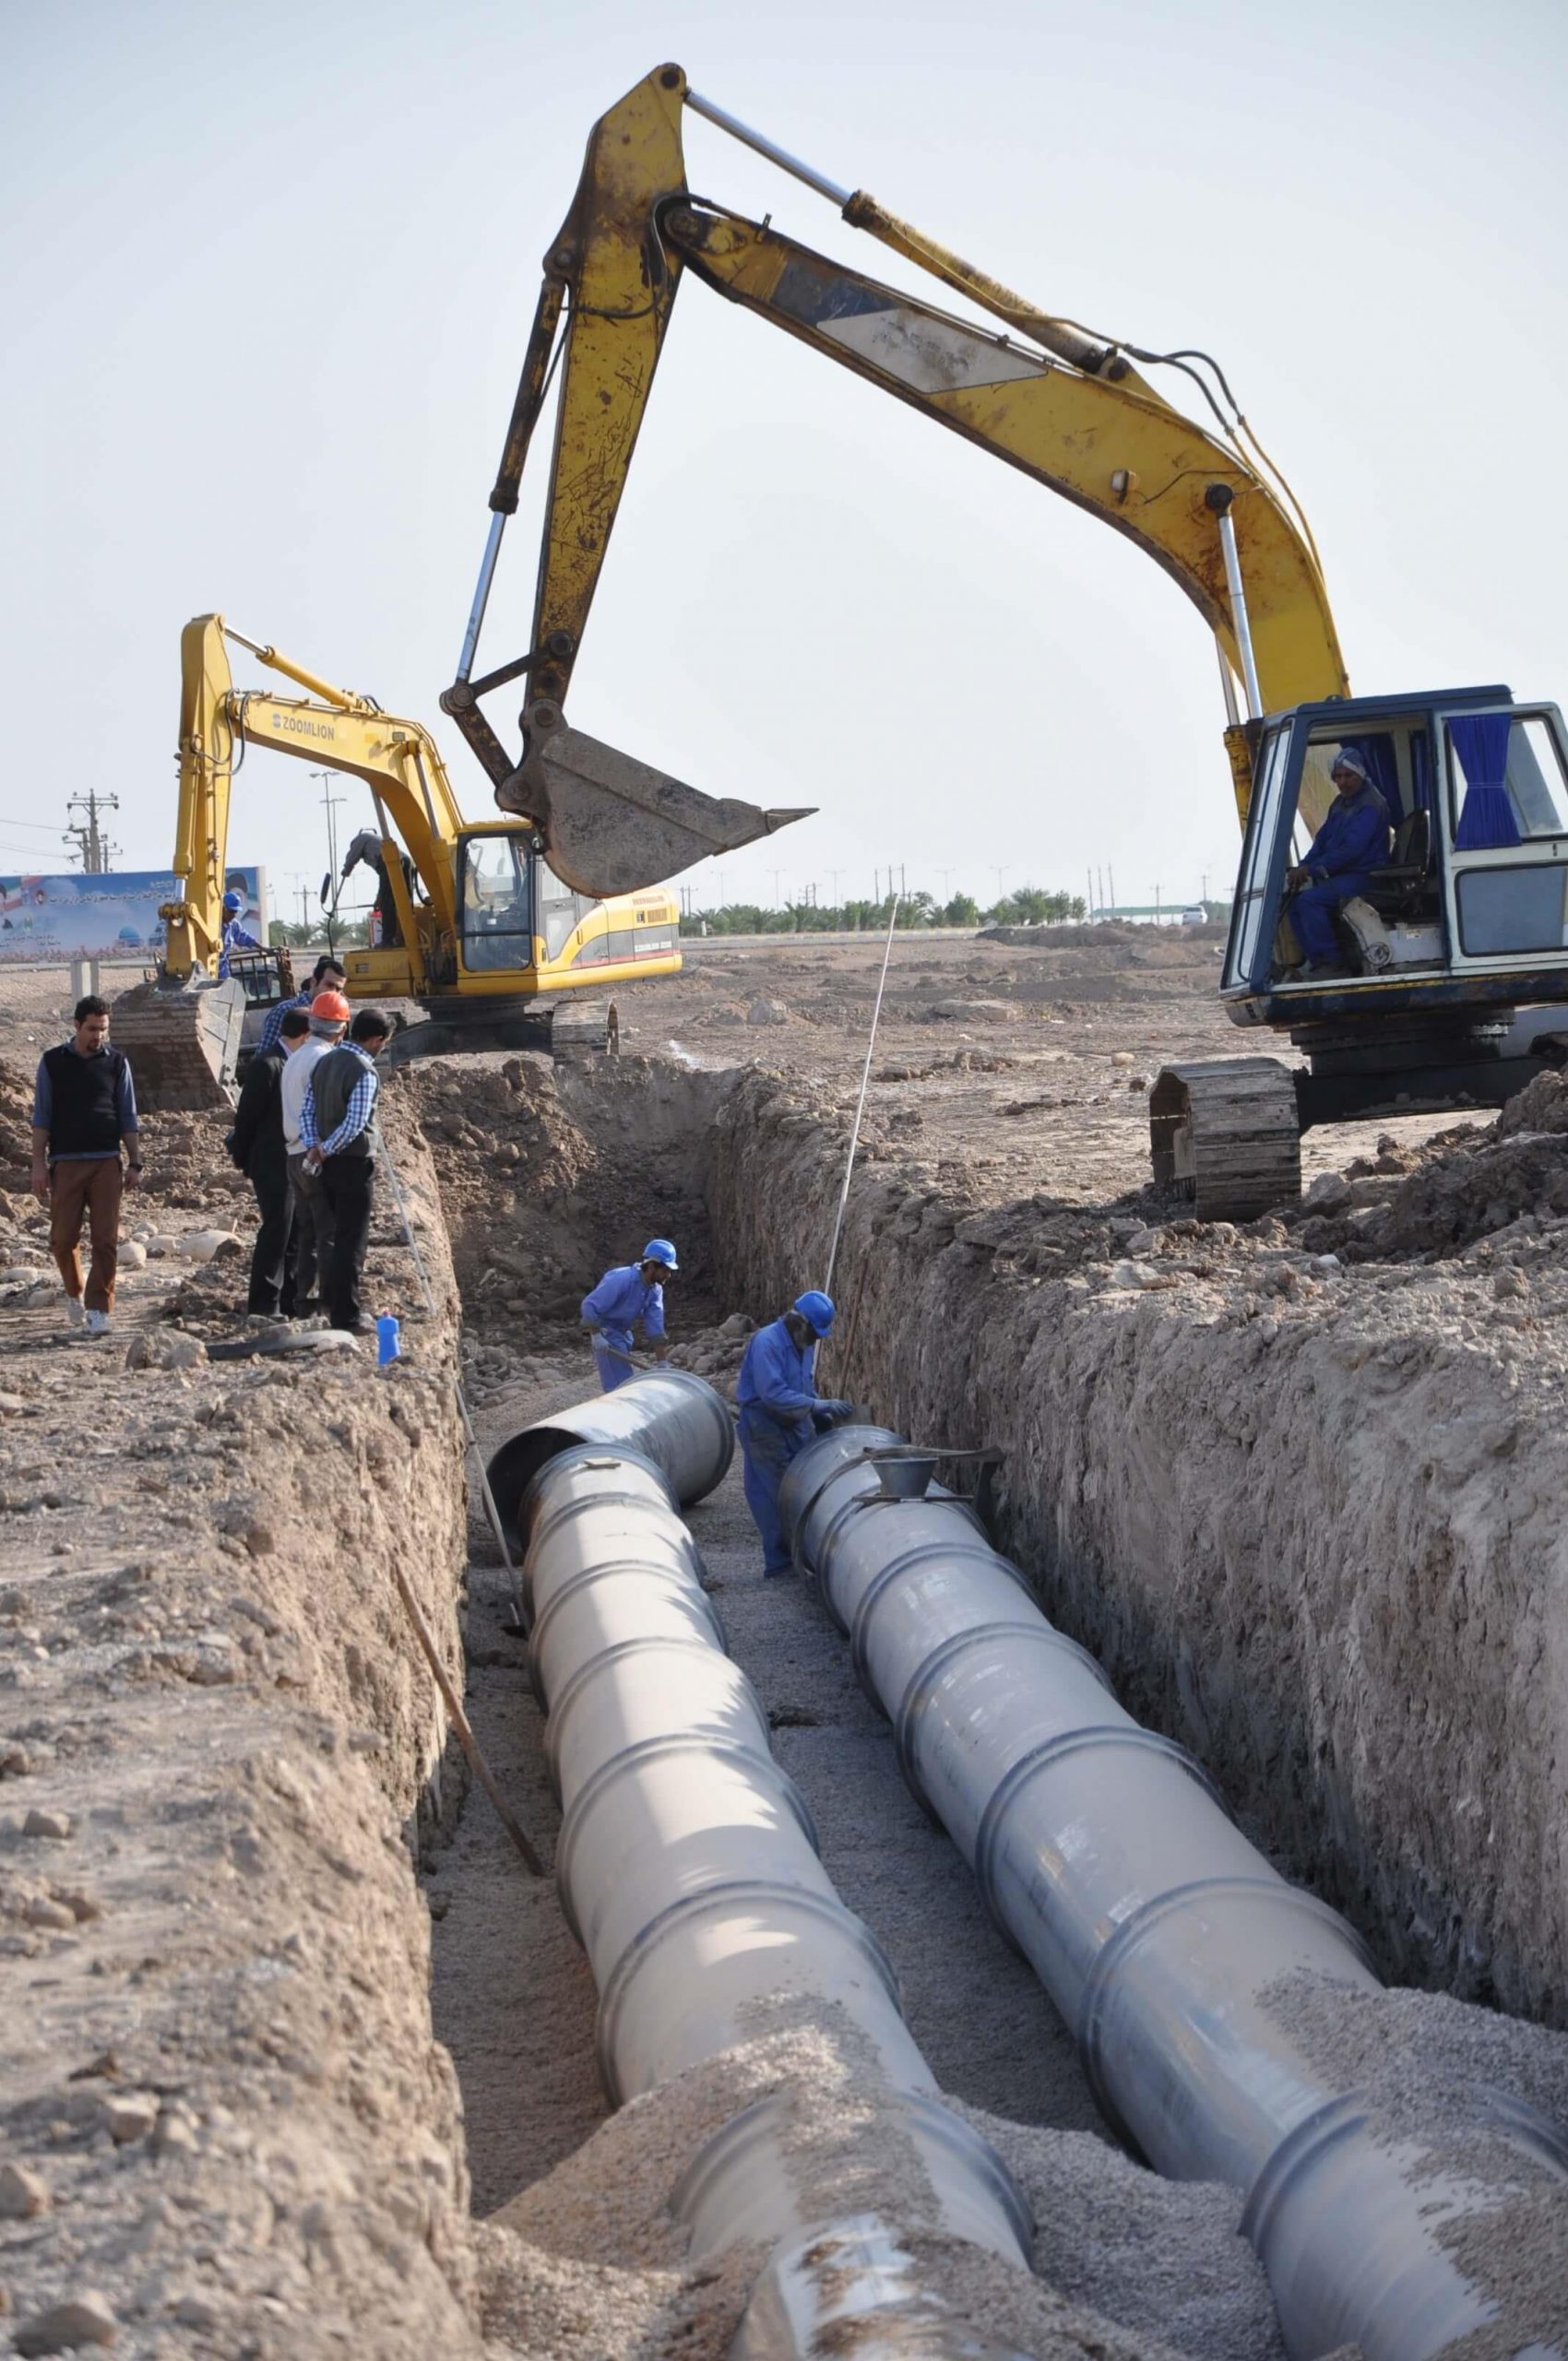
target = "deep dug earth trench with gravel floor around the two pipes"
x: 544, y: 1184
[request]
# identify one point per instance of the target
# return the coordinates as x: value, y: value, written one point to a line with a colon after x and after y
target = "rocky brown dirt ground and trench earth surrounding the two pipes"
x: 299, y: 2060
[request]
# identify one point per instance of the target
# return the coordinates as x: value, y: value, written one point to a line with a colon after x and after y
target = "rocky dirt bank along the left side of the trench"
x: 228, y: 2126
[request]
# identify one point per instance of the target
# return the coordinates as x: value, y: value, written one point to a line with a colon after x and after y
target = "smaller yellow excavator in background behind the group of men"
x: 473, y: 924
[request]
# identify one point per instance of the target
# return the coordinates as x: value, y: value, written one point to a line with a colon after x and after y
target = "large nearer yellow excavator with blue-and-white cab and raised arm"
x: 1451, y: 964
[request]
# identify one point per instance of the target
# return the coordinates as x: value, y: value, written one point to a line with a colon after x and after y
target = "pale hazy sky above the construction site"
x: 268, y: 280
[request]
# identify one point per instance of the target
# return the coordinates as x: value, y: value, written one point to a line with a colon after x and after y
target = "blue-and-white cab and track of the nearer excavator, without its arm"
x: 1449, y: 986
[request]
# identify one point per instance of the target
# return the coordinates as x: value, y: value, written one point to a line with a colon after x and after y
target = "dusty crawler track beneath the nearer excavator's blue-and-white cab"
x: 1227, y: 1137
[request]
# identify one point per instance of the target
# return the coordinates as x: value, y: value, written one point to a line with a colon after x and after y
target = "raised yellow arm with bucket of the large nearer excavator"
x: 1045, y: 395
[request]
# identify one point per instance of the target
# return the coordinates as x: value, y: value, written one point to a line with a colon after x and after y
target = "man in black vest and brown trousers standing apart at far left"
x: 84, y: 1108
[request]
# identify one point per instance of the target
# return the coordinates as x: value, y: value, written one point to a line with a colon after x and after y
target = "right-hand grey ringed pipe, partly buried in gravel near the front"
x: 1156, y: 1928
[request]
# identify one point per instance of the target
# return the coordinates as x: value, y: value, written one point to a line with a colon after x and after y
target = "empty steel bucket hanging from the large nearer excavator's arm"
x: 615, y: 825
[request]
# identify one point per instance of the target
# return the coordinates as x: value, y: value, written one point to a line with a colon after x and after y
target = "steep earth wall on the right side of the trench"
x: 1326, y: 1555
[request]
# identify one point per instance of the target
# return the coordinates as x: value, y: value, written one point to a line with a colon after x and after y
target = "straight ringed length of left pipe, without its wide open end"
x: 688, y: 1869
